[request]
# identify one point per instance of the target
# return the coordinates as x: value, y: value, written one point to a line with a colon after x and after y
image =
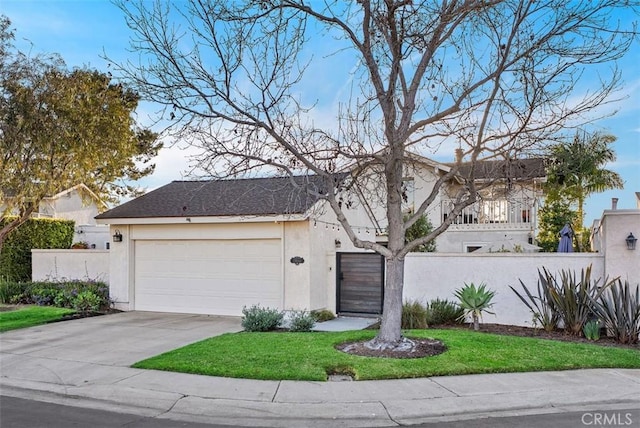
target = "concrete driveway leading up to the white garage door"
x: 115, y: 340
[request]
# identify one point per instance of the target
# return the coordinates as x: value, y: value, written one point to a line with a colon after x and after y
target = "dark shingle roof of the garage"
x: 240, y: 197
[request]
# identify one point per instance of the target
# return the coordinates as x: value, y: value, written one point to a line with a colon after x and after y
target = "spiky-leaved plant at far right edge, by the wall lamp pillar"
x: 619, y: 310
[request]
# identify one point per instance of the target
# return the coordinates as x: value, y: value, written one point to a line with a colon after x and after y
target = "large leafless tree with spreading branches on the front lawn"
x: 499, y: 78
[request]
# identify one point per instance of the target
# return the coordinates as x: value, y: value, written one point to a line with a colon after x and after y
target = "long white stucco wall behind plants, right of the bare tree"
x: 436, y: 275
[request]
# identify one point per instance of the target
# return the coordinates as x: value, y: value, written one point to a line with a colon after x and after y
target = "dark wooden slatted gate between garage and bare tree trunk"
x: 360, y: 283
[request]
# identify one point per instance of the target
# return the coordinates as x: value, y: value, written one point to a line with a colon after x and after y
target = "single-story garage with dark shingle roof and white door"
x: 214, y: 247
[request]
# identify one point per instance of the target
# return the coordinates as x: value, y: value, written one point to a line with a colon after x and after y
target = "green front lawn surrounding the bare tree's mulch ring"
x: 310, y: 356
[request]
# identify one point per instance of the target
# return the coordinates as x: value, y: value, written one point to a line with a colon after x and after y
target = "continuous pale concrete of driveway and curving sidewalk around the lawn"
x: 86, y: 363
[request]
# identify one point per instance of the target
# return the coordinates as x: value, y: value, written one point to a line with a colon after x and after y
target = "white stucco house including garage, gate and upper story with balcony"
x: 214, y: 247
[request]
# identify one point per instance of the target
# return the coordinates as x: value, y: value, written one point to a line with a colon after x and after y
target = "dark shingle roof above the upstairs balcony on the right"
x: 514, y: 169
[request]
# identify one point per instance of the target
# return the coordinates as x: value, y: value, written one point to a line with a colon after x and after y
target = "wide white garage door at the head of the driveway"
x: 207, y: 276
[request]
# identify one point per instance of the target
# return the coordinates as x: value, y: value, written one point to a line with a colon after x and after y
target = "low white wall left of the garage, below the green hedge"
x: 56, y: 265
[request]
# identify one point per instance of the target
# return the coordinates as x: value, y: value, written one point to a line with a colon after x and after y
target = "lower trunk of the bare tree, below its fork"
x: 390, y: 329
